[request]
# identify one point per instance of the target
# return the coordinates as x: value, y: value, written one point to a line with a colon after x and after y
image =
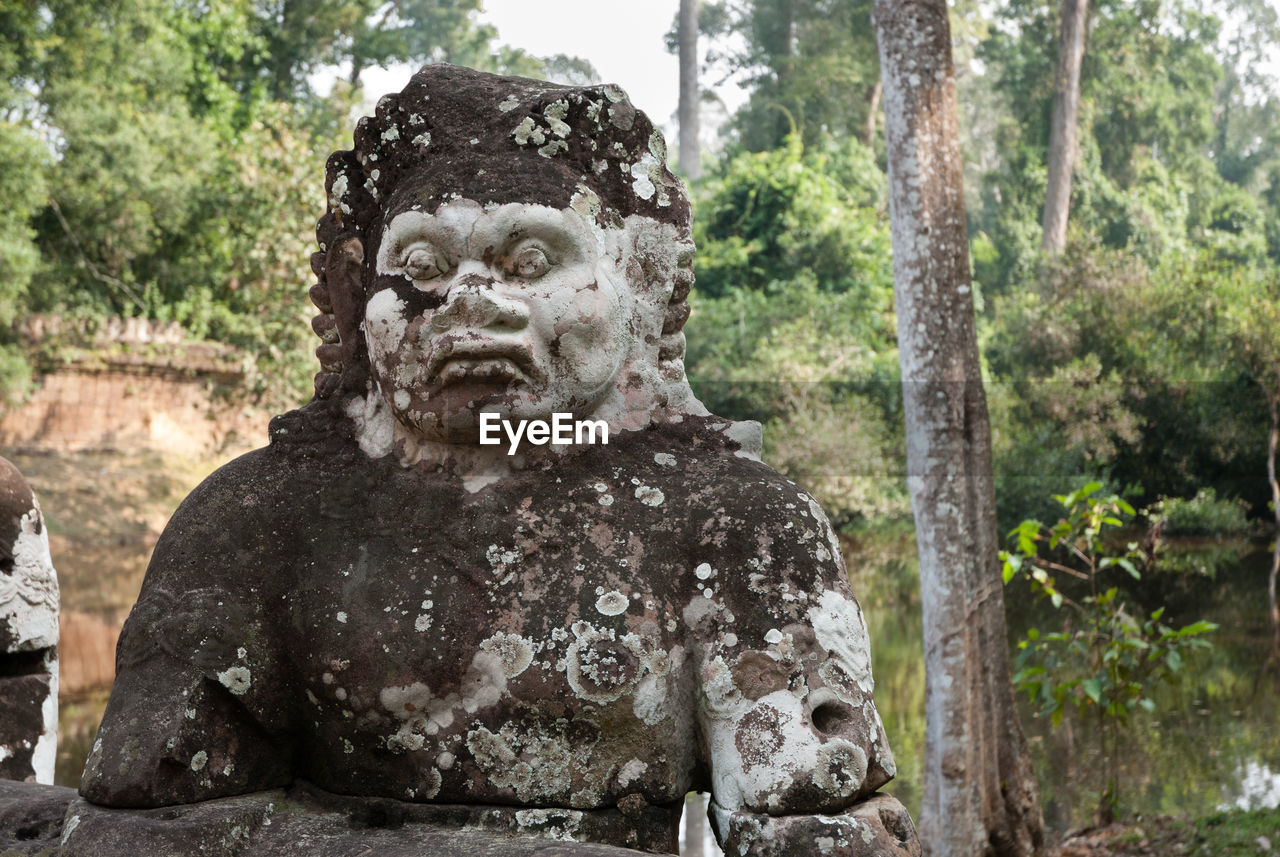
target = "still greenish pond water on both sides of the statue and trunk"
x: 1213, y: 744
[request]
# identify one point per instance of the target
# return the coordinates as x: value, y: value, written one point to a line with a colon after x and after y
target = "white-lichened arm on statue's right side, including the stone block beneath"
x: 796, y: 746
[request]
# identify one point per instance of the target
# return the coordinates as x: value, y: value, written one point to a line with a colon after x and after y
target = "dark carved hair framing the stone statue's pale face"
x: 455, y: 132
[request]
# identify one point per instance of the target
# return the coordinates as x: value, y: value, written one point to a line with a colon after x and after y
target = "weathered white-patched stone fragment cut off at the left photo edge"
x: 29, y: 636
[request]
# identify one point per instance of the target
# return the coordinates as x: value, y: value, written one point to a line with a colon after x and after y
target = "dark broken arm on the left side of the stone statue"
x: 196, y: 711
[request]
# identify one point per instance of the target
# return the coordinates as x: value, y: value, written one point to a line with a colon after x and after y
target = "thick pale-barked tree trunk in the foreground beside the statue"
x: 980, y: 790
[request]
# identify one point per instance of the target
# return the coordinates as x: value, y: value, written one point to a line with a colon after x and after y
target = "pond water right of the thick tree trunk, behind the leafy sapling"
x: 1196, y: 753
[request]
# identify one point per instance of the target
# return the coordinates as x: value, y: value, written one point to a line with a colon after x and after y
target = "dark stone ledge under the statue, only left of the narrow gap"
x: 304, y: 822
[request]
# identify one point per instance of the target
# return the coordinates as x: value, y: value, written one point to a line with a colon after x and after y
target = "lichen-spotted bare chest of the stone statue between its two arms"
x: 514, y: 661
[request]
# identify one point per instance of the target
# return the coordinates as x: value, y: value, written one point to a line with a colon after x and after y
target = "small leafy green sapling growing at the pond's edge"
x: 1105, y: 659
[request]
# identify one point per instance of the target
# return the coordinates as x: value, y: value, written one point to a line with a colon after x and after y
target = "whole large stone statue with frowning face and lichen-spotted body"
x: 391, y: 621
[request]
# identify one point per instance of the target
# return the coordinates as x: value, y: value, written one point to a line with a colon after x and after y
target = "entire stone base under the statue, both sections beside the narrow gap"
x: 54, y: 822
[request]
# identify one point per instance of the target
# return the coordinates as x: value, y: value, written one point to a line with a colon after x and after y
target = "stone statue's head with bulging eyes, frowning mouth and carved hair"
x: 502, y: 245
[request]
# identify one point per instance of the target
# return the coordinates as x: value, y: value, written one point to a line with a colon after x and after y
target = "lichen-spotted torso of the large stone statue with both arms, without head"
x: 623, y: 625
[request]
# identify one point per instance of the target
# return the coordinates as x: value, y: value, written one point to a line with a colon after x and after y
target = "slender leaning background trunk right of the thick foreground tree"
x: 1062, y: 131
